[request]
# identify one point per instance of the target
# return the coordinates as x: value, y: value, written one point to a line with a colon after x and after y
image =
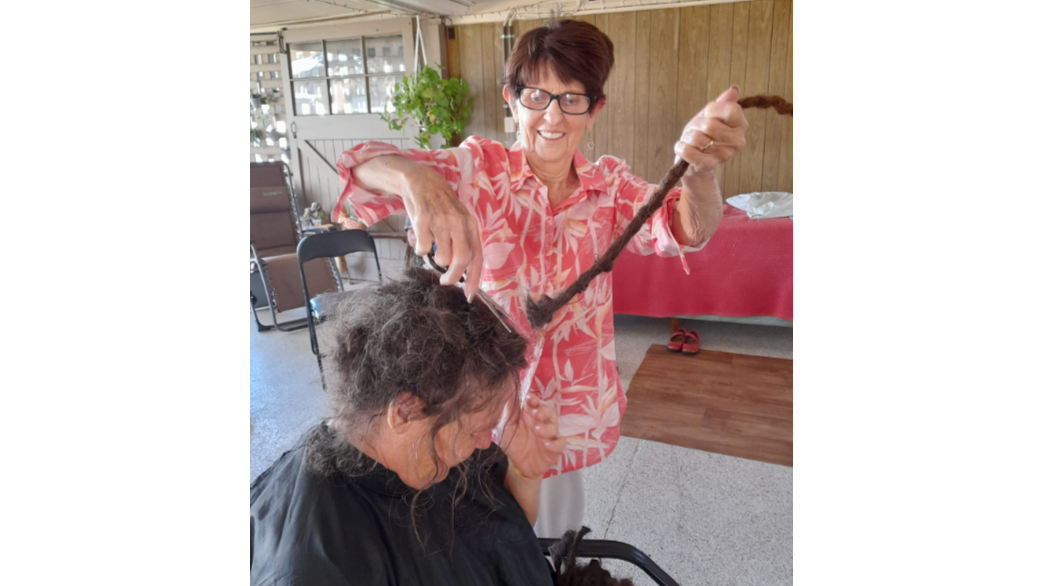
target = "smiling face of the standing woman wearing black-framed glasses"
x: 551, y: 136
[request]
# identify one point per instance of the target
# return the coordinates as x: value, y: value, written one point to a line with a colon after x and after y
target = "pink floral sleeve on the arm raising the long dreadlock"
x: 631, y: 193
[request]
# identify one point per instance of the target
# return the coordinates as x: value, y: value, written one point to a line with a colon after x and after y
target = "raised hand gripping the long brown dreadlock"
x: 714, y: 136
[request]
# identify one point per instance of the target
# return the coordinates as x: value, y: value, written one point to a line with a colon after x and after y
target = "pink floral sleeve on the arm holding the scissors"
x: 465, y: 168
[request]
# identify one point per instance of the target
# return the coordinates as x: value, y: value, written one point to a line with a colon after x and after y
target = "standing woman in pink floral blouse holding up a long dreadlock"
x: 531, y: 219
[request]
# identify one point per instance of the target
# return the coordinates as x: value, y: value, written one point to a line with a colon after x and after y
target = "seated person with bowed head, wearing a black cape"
x: 404, y: 484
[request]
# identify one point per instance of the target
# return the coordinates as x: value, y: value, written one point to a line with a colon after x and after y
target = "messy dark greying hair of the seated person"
x: 417, y: 337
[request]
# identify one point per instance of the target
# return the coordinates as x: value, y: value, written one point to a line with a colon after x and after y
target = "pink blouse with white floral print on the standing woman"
x: 531, y: 250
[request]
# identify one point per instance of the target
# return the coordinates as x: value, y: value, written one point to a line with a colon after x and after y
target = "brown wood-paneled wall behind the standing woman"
x: 669, y: 65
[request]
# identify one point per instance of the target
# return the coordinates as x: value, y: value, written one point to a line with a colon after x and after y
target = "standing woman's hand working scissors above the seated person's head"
x: 439, y: 216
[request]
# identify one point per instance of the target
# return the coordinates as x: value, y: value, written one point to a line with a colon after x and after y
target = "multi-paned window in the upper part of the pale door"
x: 348, y: 77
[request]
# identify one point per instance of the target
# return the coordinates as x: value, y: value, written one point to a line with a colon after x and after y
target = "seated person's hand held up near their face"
x: 531, y: 441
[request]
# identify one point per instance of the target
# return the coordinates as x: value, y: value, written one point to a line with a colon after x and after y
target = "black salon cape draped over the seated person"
x: 308, y: 530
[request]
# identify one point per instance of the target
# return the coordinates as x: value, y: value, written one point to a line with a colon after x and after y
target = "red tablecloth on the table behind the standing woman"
x: 745, y: 272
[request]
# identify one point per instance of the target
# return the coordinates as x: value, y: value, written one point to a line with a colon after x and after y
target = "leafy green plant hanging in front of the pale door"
x: 435, y: 106
